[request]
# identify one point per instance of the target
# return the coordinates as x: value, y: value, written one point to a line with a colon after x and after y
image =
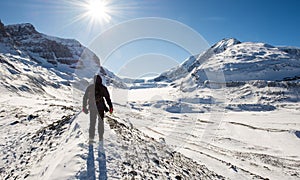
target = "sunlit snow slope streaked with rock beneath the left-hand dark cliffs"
x: 21, y: 76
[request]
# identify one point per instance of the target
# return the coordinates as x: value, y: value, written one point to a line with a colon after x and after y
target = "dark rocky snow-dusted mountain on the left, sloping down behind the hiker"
x: 67, y: 58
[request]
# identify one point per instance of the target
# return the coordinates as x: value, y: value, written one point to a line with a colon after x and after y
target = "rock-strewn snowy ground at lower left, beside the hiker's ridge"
x: 31, y: 128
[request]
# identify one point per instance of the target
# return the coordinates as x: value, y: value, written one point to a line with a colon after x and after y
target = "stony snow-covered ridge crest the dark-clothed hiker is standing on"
x: 129, y: 154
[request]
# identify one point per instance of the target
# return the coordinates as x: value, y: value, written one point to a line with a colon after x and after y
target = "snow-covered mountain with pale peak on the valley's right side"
x: 238, y: 61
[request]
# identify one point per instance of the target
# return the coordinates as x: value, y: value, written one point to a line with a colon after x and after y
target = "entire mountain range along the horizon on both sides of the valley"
x: 227, y: 61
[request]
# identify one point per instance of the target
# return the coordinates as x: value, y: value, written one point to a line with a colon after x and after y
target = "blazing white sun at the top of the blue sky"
x: 98, y: 10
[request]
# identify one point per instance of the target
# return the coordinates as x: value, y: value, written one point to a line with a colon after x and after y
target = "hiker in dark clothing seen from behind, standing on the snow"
x: 93, y: 96
